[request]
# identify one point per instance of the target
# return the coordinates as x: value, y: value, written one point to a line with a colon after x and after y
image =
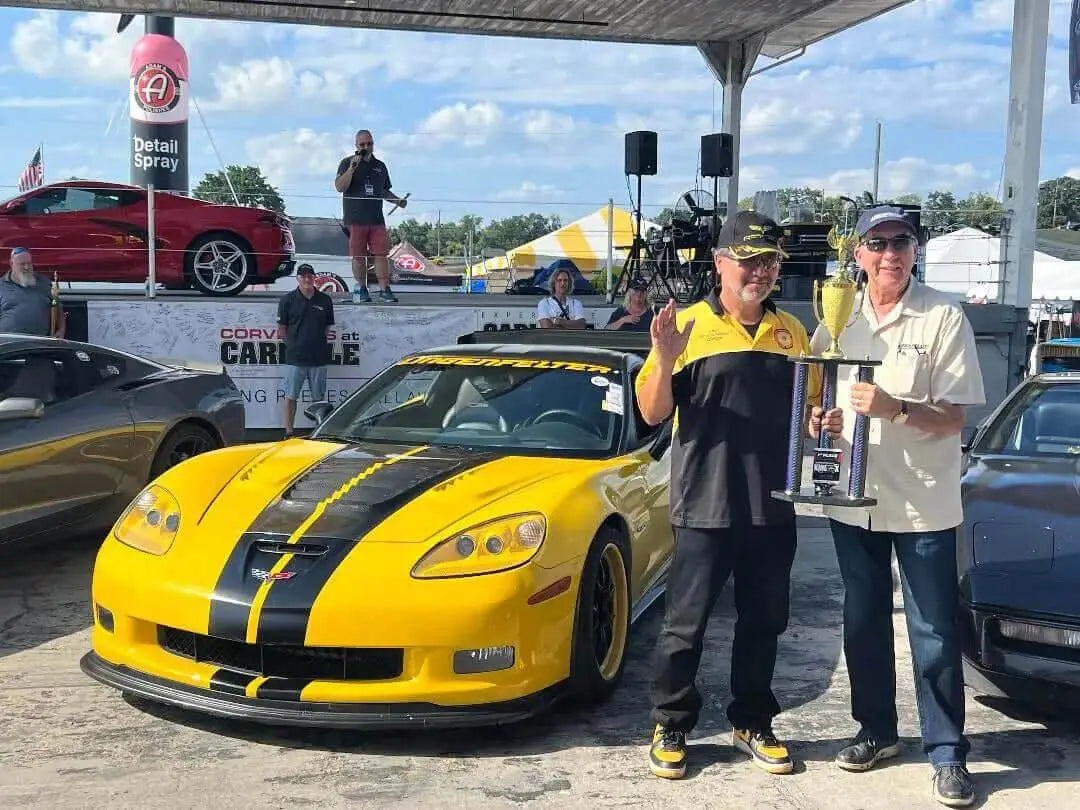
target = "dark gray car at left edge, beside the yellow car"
x: 84, y: 429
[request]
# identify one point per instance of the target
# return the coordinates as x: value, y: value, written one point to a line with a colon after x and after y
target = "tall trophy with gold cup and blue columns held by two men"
x: 834, y: 302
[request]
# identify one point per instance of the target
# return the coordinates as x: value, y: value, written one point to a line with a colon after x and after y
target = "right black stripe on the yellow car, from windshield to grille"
x: 288, y: 607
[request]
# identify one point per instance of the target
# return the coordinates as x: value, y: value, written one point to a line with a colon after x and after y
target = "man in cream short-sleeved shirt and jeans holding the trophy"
x: 929, y: 374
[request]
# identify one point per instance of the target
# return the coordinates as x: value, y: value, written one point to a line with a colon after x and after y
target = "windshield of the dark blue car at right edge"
x: 1044, y: 421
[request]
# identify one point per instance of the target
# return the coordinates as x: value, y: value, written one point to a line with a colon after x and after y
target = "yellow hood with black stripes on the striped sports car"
x: 349, y: 492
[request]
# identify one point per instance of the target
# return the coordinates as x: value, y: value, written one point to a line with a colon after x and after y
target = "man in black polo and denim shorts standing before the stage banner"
x: 305, y: 318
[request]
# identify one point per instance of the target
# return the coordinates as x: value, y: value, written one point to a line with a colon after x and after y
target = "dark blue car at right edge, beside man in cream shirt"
x: 1019, y: 551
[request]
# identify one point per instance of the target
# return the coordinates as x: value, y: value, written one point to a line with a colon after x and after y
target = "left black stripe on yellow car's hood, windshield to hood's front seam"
x: 286, y: 514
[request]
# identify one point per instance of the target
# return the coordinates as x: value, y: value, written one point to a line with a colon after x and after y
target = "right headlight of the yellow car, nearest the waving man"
x: 497, y: 546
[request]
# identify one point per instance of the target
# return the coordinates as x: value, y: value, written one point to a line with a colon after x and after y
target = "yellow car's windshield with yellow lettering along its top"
x: 522, y: 404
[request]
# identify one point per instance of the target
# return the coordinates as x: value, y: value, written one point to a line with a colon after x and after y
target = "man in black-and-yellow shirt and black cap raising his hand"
x: 722, y: 367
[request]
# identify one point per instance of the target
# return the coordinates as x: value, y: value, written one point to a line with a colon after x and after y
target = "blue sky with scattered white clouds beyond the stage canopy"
x: 498, y: 127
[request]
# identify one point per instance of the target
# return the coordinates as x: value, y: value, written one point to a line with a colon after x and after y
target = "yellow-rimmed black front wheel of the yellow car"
x: 602, y: 619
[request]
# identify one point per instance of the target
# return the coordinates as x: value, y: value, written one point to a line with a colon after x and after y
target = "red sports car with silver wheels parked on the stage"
x: 98, y: 232
